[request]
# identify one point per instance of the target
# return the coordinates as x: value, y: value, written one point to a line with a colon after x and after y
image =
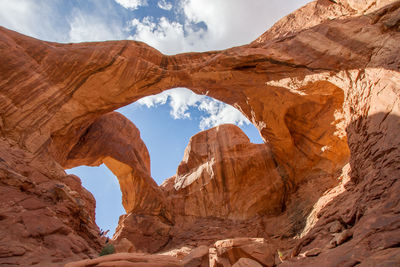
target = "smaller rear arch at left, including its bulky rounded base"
x: 115, y: 141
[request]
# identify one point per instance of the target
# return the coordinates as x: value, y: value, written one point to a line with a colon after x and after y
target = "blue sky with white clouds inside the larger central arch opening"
x: 169, y: 119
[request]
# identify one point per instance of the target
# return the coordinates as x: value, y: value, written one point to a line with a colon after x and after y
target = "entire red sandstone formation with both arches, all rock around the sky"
x: 322, y: 87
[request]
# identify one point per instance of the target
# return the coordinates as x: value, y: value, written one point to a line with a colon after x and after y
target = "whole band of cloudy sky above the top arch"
x: 190, y: 25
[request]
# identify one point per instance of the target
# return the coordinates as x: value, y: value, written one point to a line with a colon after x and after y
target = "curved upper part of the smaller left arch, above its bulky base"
x: 115, y: 141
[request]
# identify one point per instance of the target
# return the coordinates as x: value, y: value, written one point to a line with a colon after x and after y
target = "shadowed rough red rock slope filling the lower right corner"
x: 361, y: 224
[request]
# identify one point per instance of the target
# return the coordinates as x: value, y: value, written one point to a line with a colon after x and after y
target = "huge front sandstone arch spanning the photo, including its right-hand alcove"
x: 275, y: 82
